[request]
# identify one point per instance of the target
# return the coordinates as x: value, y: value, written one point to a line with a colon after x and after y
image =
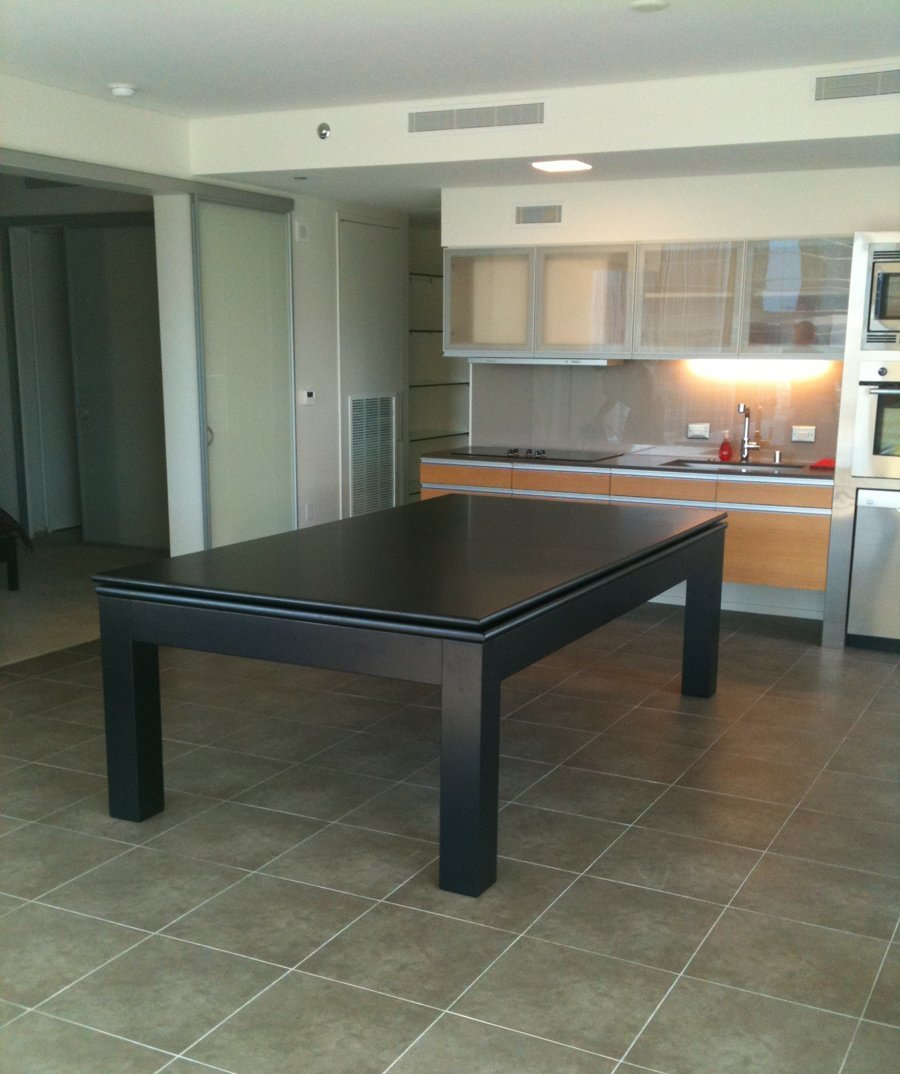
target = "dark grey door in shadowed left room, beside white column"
x: 119, y: 385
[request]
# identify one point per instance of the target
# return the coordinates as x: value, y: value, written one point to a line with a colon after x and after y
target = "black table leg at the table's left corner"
x: 134, y: 725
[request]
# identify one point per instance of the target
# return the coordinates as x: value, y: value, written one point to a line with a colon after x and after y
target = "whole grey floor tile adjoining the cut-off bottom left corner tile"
x: 165, y: 993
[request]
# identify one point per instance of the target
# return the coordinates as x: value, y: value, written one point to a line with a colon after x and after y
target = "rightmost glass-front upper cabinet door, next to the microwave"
x: 796, y: 295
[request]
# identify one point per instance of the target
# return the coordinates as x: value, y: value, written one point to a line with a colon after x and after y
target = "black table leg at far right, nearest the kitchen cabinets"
x: 703, y: 608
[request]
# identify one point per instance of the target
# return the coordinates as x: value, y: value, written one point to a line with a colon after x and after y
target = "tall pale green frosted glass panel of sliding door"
x: 248, y: 365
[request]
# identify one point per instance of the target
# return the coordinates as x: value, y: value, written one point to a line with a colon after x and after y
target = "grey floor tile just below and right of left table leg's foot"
x: 230, y: 834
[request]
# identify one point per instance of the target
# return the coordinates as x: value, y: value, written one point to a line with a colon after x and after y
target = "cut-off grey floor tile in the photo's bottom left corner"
x: 37, y: 1044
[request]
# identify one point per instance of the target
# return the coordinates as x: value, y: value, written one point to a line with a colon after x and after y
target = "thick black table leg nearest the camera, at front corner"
x: 470, y: 760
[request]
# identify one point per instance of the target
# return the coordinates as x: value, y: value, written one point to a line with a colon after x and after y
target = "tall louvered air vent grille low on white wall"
x: 373, y: 454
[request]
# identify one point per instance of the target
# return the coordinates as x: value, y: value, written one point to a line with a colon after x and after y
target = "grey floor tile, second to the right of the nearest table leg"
x: 699, y: 868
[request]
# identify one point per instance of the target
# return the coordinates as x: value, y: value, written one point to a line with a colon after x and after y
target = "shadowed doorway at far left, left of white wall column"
x: 88, y: 362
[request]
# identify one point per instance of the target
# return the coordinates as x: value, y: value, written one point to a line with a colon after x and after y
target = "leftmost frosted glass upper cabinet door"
x: 489, y: 301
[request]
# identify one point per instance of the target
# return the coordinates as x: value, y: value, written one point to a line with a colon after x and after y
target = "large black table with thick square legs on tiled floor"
x: 457, y: 591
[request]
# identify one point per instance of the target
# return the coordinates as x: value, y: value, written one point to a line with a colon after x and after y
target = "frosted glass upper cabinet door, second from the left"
x: 585, y: 299
